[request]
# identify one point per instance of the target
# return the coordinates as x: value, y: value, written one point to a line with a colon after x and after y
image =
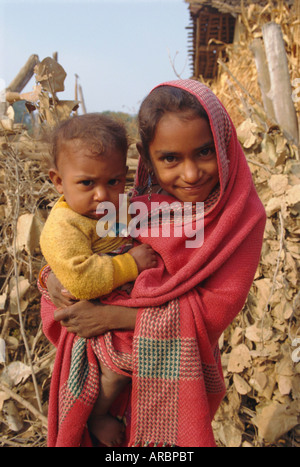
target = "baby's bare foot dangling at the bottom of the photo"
x: 107, y: 429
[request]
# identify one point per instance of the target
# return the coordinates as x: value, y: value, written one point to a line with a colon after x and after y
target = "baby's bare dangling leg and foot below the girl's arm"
x: 107, y: 429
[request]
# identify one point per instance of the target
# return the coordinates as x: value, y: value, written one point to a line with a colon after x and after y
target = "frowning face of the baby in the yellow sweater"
x: 87, y: 180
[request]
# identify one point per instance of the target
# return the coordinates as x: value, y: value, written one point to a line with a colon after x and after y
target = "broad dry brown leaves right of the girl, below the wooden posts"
x: 261, y: 349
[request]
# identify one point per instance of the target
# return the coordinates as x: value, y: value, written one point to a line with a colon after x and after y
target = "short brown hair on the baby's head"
x: 100, y: 133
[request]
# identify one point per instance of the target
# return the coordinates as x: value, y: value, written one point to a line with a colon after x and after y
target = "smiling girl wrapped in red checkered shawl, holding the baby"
x: 189, y: 153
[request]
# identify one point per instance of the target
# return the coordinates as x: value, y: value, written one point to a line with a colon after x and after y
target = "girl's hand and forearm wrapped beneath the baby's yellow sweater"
x: 91, y: 318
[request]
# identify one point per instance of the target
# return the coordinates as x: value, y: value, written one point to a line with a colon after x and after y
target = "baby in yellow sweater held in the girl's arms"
x: 88, y: 168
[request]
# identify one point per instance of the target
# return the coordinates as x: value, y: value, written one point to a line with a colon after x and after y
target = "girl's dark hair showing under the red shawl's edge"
x: 162, y: 100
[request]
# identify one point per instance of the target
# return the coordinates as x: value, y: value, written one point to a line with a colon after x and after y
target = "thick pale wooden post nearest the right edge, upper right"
x: 281, y: 89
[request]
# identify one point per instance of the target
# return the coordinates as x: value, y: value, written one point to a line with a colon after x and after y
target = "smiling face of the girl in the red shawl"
x: 183, y: 157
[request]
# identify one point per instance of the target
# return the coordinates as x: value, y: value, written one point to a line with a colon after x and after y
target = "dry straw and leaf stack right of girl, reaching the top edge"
x: 261, y: 349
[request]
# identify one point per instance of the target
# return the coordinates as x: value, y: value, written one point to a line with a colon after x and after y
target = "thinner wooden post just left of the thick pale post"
x: 258, y: 50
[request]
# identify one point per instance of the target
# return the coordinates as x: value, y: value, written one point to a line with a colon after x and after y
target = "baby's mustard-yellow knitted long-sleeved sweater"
x: 75, y: 253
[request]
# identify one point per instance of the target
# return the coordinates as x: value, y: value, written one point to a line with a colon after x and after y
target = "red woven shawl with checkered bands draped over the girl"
x: 184, y: 306
